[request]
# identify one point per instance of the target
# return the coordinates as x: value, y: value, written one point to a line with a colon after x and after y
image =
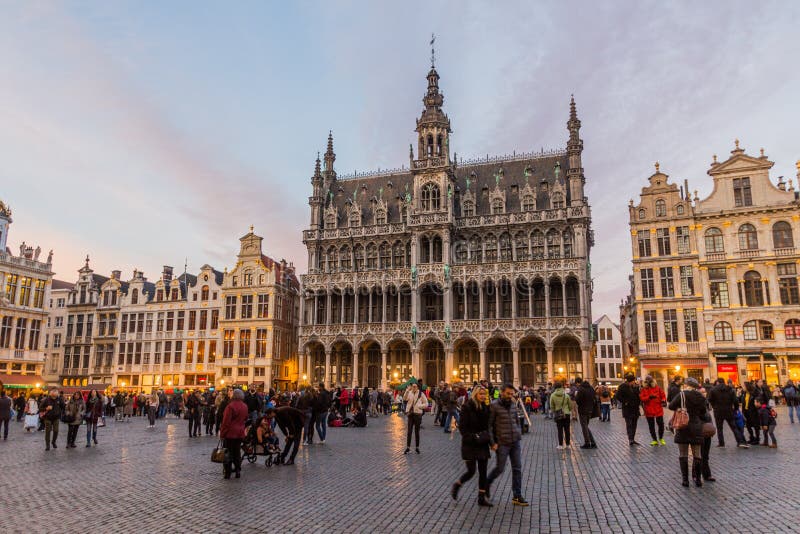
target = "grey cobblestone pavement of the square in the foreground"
x: 159, y: 480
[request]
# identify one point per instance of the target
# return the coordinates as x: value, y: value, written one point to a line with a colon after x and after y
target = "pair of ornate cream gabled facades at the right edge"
x: 714, y: 291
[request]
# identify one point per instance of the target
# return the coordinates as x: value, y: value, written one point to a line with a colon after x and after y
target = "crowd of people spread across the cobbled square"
x: 488, y: 418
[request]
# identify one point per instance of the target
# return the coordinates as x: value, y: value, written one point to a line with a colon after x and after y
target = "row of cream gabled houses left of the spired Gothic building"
x: 209, y: 329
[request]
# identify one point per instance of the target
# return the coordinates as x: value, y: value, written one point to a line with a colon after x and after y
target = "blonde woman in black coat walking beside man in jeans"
x: 474, y: 429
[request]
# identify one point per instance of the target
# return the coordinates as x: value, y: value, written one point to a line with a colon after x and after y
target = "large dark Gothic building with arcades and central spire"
x: 448, y: 269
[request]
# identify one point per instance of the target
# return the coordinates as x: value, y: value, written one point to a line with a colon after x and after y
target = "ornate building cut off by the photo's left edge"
x: 25, y: 282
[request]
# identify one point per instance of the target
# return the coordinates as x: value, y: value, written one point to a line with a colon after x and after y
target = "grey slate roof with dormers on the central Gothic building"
x: 392, y: 186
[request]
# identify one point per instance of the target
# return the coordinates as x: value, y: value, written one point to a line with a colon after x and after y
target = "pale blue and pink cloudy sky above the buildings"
x: 155, y: 133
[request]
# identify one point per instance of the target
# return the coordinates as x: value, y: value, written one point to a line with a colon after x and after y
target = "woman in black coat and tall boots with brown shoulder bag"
x: 692, y: 434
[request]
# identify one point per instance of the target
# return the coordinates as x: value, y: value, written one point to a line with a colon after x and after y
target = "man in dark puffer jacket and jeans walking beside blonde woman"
x: 504, y: 438
